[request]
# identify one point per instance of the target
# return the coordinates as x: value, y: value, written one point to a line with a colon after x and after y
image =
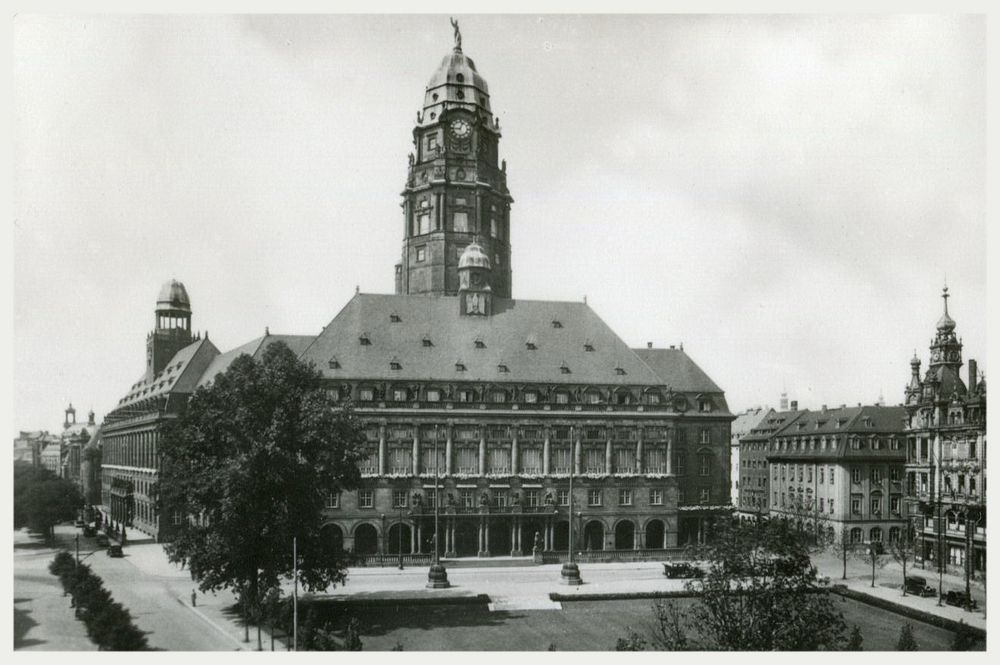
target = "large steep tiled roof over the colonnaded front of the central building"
x: 391, y: 337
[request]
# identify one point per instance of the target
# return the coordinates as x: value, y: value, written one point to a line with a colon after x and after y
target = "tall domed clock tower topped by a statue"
x: 456, y: 188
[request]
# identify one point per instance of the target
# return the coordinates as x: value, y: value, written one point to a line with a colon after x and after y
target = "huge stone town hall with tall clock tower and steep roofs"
x: 500, y: 398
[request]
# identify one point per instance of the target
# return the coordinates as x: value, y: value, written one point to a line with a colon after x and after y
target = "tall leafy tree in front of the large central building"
x: 250, y: 462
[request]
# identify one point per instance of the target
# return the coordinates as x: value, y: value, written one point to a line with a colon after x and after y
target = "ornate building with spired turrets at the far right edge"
x: 946, y: 455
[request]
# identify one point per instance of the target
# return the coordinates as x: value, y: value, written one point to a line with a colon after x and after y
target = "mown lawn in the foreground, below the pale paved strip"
x: 579, y: 626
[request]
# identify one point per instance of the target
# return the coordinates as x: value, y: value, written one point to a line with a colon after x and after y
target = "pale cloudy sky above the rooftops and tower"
x: 784, y: 195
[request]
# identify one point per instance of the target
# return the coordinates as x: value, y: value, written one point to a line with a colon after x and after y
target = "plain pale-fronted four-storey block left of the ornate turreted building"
x: 838, y: 473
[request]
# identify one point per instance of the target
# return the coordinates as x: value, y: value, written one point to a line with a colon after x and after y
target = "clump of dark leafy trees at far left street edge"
x: 42, y: 499
